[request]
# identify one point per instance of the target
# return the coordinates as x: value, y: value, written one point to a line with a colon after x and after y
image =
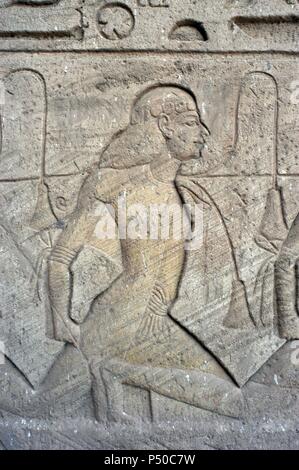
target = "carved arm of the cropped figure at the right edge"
x: 286, y: 271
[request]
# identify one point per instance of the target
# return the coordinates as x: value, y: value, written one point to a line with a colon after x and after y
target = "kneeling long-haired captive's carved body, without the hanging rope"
x: 136, y: 308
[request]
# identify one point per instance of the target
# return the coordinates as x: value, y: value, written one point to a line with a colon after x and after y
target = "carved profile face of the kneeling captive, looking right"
x: 187, y: 138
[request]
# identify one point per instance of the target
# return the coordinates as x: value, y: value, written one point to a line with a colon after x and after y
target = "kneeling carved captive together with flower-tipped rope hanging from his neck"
x: 129, y: 330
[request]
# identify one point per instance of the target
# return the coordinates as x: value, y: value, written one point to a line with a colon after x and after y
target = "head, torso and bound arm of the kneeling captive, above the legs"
x: 142, y: 163
